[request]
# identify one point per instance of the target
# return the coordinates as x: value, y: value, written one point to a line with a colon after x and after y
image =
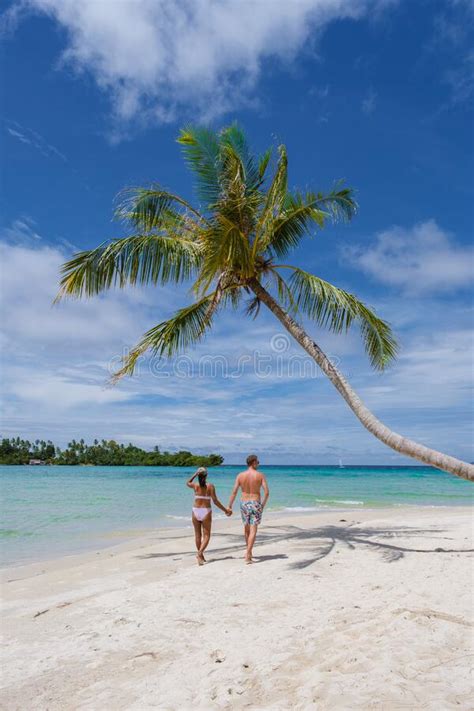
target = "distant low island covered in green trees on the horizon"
x: 104, y: 453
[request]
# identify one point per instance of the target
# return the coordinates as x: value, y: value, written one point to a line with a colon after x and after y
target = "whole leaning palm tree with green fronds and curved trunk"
x: 231, y: 248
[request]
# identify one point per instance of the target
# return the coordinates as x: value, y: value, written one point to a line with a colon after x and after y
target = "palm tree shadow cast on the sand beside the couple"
x: 323, y: 541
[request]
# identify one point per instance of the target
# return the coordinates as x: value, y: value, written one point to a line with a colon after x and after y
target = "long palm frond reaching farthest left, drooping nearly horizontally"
x: 139, y: 259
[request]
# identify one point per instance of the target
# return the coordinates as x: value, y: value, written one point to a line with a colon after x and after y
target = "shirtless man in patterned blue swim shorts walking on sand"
x: 251, y: 482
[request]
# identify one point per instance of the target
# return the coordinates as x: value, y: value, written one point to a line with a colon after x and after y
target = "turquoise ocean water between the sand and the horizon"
x: 52, y: 511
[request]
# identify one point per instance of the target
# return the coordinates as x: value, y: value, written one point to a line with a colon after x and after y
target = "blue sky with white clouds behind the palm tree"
x: 377, y: 92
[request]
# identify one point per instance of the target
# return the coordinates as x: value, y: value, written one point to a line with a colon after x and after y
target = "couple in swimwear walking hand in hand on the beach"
x: 251, y: 481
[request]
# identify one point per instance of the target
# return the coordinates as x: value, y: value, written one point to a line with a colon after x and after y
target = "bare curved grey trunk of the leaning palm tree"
x: 392, y: 439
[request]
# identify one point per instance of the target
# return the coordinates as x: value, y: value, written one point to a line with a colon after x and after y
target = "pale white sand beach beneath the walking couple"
x: 370, y: 612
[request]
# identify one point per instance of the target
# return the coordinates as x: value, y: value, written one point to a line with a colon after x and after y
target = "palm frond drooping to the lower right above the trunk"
x: 337, y: 309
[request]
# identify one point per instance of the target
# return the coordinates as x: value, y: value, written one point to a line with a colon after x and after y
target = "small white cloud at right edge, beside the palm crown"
x: 420, y: 259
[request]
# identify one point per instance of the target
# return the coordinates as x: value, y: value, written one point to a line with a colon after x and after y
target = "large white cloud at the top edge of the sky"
x: 159, y: 57
